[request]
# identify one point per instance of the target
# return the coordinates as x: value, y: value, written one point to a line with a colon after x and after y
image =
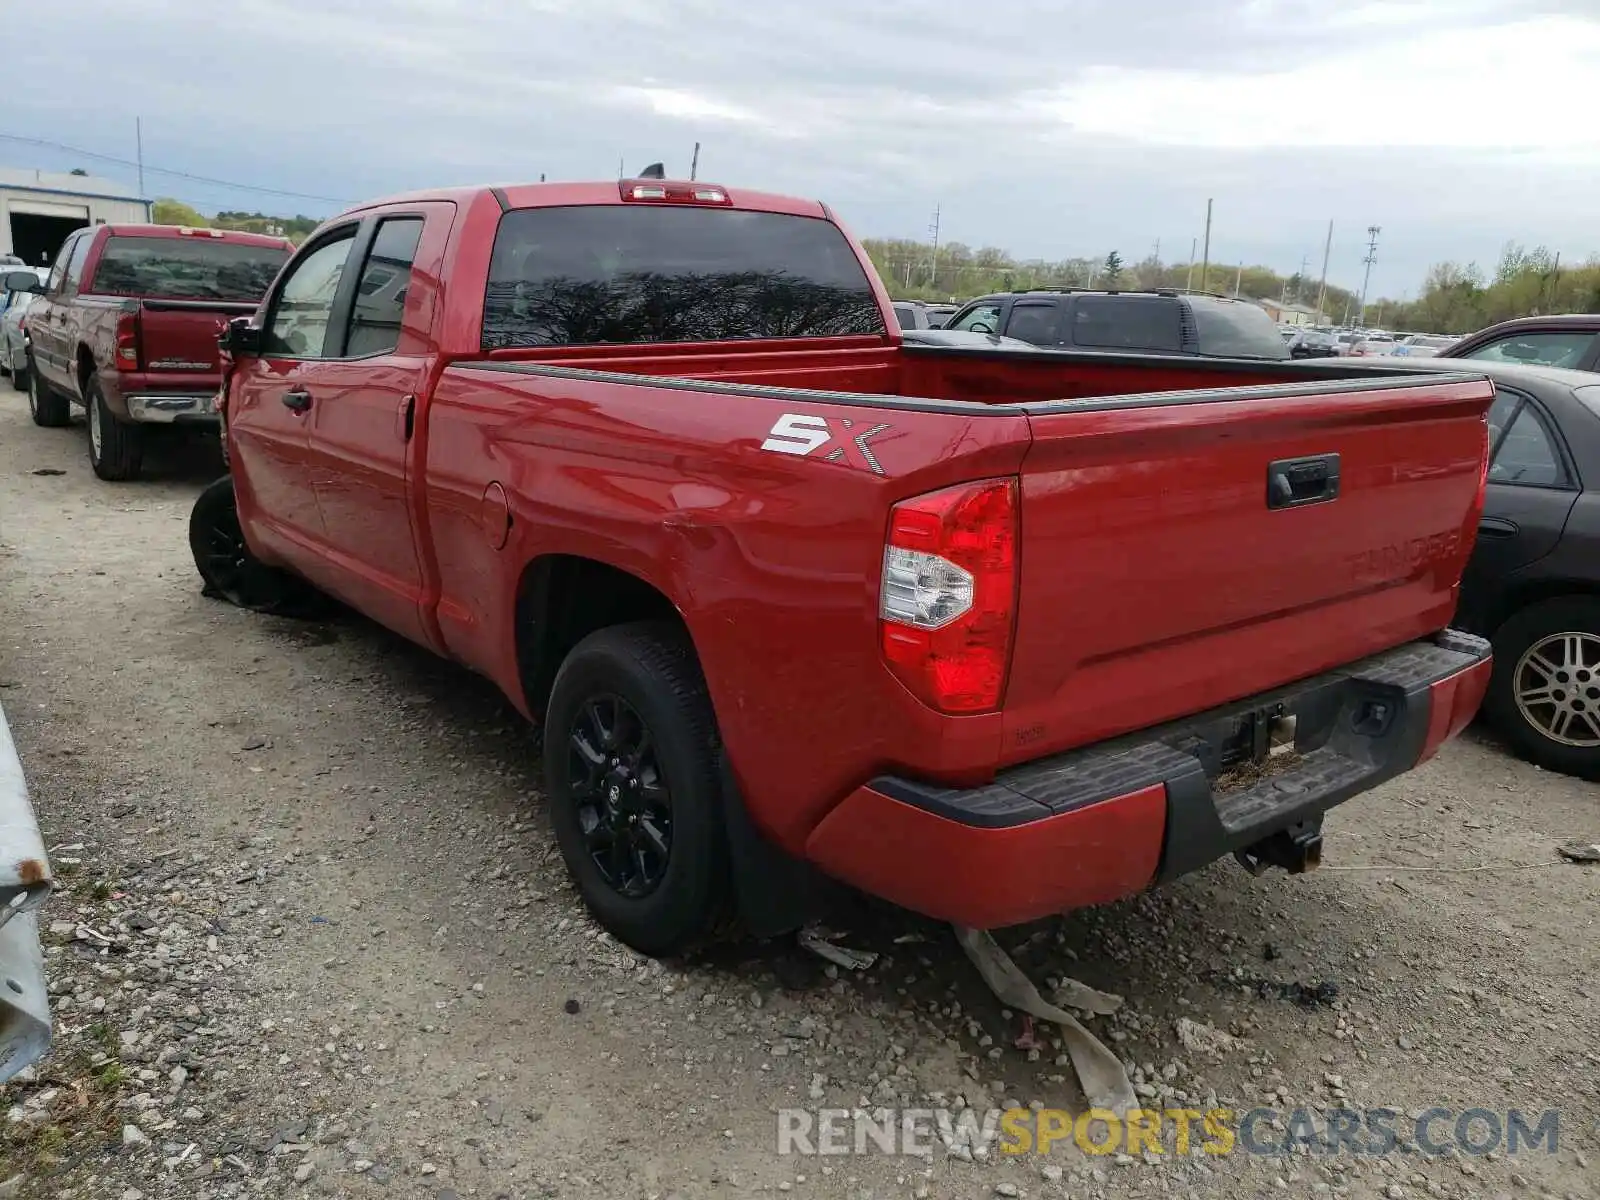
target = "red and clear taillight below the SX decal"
x: 950, y: 594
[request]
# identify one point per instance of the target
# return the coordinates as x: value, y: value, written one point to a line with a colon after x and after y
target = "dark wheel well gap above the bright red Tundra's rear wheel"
x: 564, y: 599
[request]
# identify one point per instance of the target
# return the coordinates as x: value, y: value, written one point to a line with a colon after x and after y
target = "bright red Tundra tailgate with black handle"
x: 1182, y: 551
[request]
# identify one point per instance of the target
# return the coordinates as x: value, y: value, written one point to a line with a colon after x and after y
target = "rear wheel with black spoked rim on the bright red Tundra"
x: 631, y: 775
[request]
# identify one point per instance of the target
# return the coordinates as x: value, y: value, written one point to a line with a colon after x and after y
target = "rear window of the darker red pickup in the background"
x: 186, y: 268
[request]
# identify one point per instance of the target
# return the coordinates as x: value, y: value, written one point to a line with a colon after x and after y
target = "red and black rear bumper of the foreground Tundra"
x: 1106, y: 822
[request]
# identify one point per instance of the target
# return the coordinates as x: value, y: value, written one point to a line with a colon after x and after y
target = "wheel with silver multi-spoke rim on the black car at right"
x: 1545, y: 695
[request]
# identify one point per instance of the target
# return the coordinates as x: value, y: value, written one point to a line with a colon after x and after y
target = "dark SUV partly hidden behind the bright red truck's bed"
x: 1140, y: 322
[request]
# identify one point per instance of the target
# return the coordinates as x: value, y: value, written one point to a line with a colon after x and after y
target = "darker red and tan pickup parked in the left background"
x: 127, y: 329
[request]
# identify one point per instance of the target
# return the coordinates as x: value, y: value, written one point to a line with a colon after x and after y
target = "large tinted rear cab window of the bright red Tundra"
x: 671, y: 274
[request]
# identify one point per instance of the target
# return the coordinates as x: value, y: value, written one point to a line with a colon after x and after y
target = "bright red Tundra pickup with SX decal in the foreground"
x: 986, y: 633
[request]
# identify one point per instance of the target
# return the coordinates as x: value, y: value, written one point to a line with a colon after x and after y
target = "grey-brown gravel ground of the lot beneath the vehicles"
x: 314, y: 940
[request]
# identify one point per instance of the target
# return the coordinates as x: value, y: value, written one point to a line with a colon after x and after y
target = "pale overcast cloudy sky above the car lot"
x: 1052, y: 129
